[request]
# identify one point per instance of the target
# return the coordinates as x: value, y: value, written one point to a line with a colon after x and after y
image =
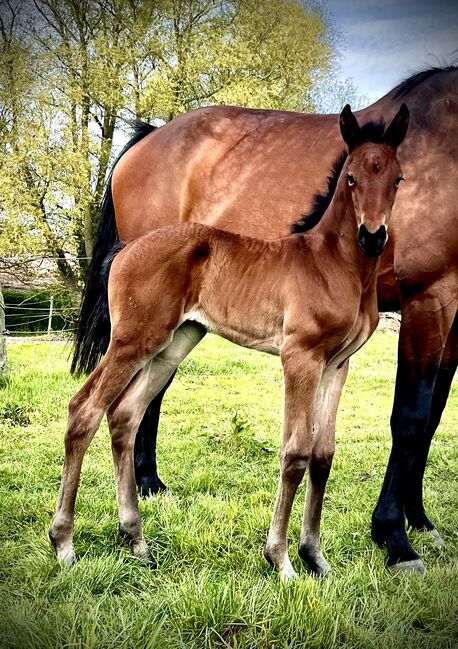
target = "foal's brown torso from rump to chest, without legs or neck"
x: 238, y: 286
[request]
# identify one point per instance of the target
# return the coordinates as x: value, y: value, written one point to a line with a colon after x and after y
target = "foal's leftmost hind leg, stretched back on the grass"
x: 86, y: 410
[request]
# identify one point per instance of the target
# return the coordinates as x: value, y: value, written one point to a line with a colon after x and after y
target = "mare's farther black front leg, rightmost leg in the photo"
x: 414, y: 509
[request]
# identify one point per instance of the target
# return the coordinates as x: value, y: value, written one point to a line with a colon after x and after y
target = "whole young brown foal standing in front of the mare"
x: 310, y: 298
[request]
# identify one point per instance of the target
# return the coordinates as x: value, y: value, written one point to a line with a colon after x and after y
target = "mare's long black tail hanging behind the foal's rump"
x: 93, y: 328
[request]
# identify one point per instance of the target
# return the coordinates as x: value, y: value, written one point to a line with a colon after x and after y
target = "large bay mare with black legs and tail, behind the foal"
x: 254, y: 172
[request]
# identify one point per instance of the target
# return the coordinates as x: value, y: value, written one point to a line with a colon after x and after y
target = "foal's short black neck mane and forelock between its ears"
x: 370, y: 132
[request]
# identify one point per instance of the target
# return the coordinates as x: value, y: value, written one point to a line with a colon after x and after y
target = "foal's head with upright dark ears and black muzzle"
x: 372, y: 175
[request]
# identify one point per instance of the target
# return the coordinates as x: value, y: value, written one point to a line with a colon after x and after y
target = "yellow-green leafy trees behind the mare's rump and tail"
x: 73, y: 72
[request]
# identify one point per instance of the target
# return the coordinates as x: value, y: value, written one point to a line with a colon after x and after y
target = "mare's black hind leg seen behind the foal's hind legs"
x: 148, y: 482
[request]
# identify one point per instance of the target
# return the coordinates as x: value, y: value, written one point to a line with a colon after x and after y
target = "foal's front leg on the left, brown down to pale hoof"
x: 302, y: 375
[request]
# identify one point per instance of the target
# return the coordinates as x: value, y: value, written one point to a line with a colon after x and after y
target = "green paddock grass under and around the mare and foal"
x: 212, y: 587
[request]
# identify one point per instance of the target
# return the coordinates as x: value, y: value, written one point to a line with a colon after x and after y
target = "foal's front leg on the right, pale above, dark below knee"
x: 320, y: 463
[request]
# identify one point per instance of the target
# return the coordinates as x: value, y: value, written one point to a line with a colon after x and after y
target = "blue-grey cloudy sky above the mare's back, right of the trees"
x: 385, y: 41
